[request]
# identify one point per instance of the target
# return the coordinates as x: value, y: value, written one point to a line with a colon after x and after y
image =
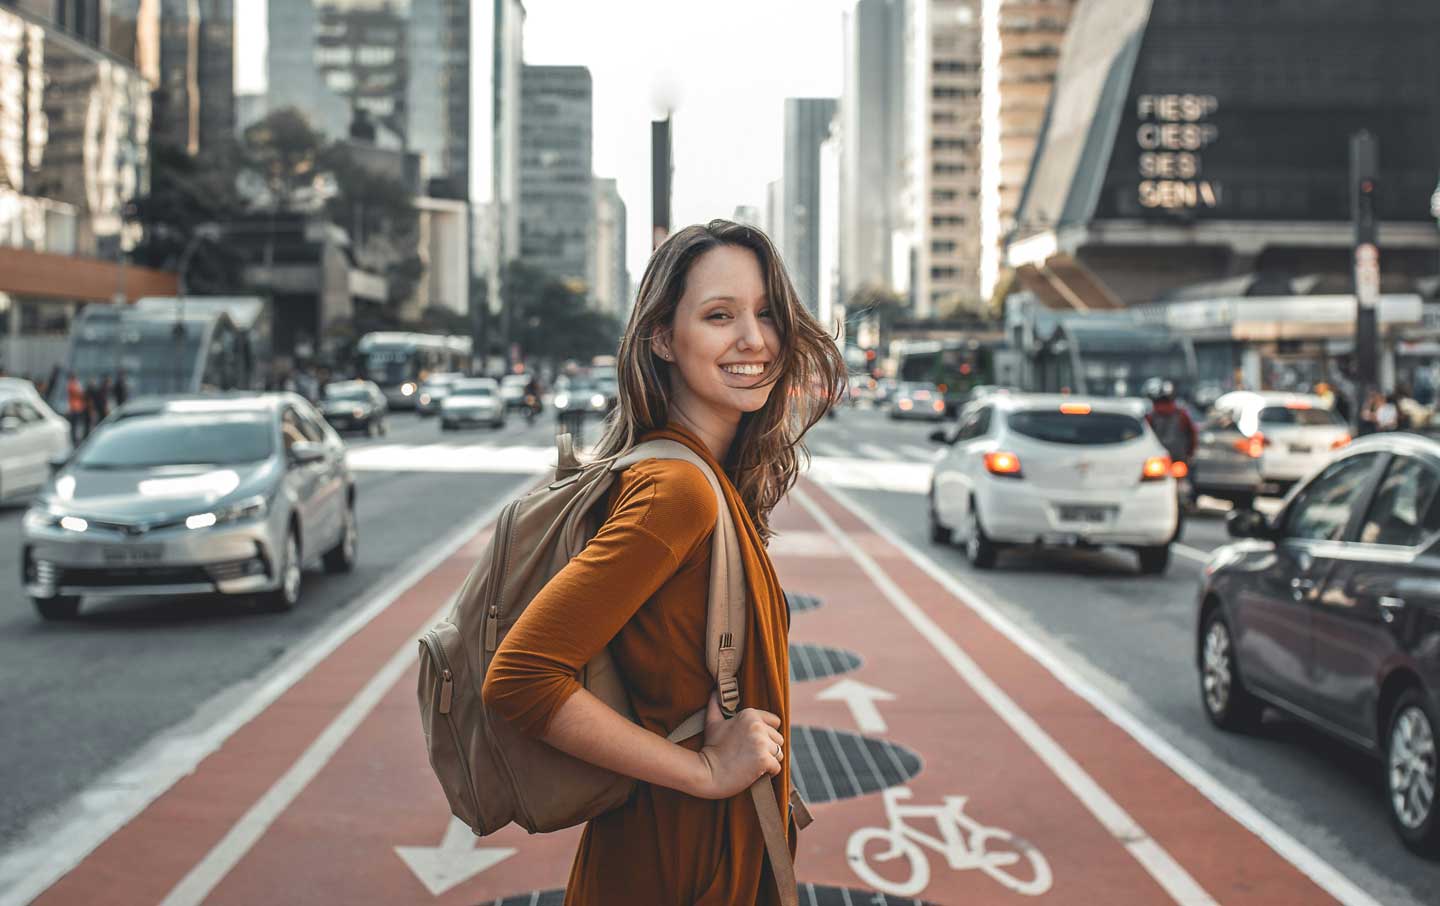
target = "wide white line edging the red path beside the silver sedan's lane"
x: 53, y: 848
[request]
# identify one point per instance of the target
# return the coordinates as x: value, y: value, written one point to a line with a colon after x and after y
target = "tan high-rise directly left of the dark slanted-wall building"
x: 1022, y: 44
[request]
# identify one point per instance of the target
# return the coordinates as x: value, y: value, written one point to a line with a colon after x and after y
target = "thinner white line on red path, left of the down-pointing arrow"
x: 202, y: 879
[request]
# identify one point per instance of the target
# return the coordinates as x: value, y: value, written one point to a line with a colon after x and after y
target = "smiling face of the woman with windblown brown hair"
x: 724, y: 341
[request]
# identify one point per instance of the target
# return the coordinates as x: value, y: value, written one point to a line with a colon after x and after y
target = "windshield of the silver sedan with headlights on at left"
x: 220, y: 439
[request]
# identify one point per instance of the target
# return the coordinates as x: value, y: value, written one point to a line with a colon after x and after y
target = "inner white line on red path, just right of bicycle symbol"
x: 1169, y: 874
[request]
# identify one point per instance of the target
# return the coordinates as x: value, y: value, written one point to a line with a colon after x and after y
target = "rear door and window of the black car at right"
x: 1383, y: 580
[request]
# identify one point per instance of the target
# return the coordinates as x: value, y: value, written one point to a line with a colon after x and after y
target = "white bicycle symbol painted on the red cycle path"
x: 966, y: 843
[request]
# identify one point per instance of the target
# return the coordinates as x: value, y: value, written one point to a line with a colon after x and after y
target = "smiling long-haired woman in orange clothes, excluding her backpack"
x: 721, y: 356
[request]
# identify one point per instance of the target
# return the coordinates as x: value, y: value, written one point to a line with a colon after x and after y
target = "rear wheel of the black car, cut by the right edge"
x: 1412, y: 773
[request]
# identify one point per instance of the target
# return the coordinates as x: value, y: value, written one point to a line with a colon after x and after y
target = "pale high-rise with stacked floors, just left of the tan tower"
x: 945, y: 168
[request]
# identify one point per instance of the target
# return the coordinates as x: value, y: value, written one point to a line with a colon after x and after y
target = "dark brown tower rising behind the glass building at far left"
x: 186, y: 48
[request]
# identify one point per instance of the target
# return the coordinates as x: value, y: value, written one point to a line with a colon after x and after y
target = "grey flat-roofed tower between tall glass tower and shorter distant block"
x: 557, y: 197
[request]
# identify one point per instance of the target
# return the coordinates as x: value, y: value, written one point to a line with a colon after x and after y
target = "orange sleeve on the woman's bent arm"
x: 662, y: 512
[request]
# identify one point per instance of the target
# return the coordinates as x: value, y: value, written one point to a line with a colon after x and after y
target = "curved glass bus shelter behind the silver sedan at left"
x: 165, y: 346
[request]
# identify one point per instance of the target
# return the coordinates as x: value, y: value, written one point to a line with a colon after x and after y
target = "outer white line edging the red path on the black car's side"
x: 1278, y: 839
